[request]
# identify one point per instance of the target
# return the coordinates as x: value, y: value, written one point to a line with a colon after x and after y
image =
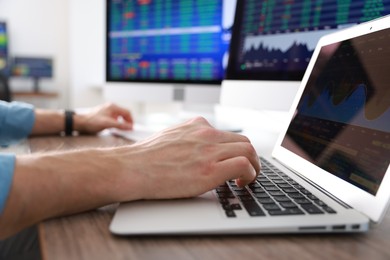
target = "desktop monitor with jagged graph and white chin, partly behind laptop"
x: 272, y: 43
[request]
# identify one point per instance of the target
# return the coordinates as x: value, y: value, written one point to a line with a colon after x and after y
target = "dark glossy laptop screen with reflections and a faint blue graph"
x: 342, y: 121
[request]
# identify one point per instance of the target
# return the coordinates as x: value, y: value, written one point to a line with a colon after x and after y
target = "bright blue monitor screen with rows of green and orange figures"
x: 167, y: 41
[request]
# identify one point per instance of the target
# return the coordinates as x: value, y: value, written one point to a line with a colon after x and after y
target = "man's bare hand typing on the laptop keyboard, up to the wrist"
x: 186, y: 161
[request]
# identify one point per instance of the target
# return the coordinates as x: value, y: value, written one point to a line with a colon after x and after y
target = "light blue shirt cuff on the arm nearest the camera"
x: 7, y: 167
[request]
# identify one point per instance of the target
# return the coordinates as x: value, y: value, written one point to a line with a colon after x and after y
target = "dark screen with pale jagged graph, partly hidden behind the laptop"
x: 274, y: 40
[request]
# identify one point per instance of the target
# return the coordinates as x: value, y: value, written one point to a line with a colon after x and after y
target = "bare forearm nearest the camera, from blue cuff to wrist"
x: 50, y: 185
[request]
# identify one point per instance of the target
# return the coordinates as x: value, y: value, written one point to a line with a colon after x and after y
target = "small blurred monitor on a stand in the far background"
x: 35, y: 68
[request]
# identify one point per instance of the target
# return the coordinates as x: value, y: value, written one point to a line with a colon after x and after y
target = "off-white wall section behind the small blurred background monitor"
x: 41, y: 28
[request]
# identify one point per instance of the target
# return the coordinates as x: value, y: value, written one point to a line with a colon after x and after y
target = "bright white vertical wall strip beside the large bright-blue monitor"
x: 87, y: 53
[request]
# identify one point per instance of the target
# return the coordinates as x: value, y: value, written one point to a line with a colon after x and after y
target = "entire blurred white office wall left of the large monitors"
x: 72, y: 33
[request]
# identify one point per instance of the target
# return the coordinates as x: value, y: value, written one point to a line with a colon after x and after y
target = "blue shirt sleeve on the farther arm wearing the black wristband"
x: 16, y: 121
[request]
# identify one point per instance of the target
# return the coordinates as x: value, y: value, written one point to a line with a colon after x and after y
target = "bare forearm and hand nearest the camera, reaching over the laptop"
x: 181, y: 162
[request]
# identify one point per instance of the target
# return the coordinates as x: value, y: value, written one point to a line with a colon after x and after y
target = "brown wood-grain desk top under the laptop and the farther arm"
x: 86, y: 235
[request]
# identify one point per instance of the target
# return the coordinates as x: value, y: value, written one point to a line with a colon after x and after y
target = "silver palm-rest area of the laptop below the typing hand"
x: 167, y: 216
